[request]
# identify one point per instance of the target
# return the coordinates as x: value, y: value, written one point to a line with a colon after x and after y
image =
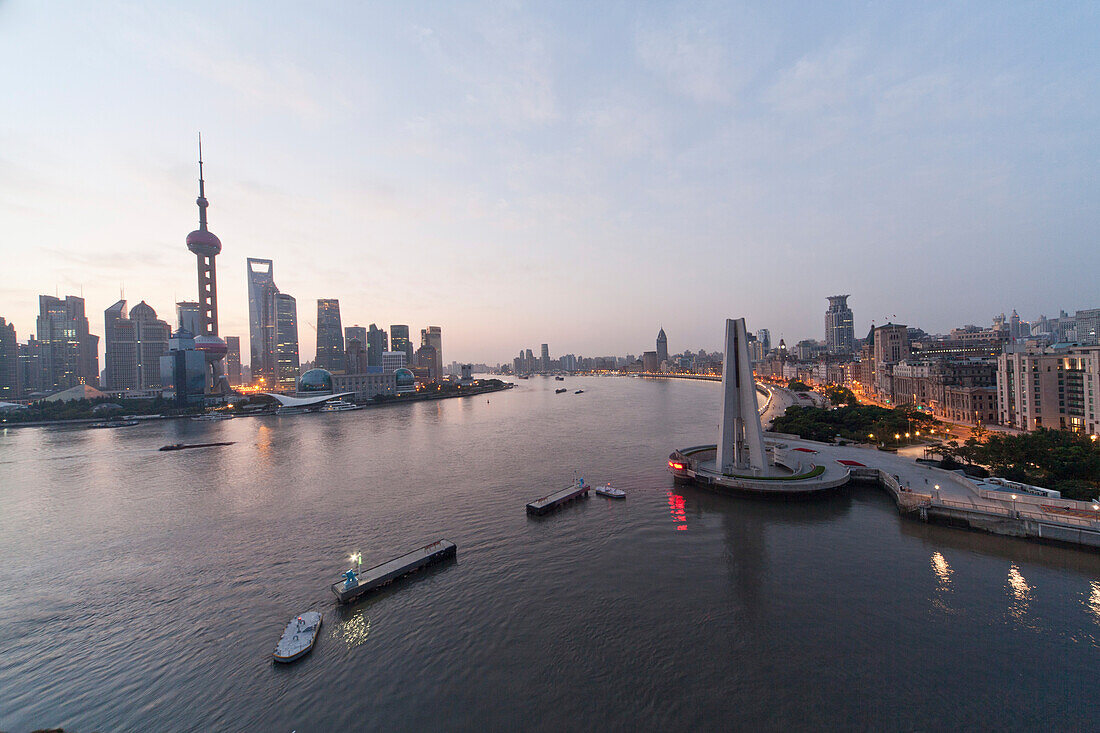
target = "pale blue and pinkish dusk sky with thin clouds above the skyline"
x: 571, y: 173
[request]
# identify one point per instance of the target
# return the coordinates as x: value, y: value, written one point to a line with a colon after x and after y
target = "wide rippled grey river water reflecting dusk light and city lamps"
x: 145, y: 590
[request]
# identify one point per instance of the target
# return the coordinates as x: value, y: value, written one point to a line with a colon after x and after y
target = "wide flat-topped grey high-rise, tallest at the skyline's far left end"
x: 69, y: 355
